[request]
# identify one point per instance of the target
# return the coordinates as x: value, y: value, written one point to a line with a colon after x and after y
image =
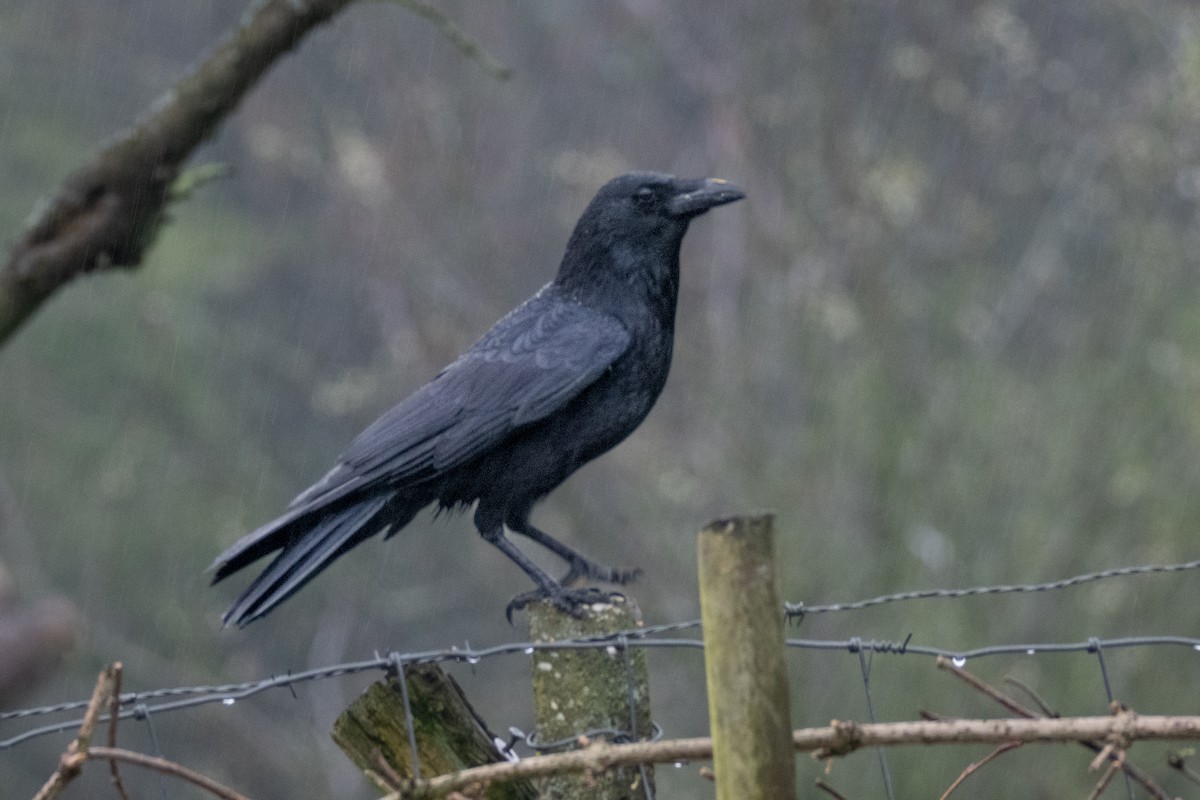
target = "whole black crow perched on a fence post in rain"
x: 560, y: 381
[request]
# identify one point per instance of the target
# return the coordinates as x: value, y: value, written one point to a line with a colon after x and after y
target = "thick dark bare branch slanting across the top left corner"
x: 106, y: 215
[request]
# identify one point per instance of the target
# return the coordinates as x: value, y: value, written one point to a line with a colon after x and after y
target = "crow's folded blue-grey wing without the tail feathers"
x: 531, y: 365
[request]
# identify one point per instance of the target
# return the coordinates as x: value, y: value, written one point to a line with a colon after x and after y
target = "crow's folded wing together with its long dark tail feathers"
x: 529, y: 366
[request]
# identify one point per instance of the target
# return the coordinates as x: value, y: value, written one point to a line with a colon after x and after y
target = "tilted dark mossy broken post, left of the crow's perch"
x: 449, y: 735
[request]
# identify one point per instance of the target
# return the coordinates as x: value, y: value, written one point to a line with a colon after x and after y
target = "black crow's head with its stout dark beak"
x: 638, y: 221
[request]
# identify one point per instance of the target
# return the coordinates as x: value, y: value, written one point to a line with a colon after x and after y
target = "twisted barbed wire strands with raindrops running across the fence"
x: 141, y: 706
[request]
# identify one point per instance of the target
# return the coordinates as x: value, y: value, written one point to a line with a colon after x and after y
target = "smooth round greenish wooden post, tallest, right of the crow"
x: 748, y: 699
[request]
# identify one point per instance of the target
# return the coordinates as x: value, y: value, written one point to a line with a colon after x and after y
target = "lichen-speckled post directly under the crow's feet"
x: 583, y: 690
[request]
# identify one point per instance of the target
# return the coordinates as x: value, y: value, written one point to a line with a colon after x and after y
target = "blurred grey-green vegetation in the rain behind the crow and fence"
x: 952, y: 338
